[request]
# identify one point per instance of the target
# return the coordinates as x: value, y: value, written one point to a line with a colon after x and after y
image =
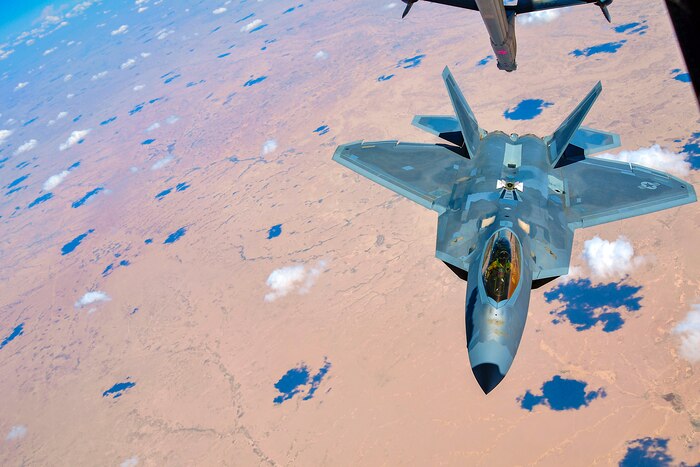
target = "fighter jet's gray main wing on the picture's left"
x: 423, y: 173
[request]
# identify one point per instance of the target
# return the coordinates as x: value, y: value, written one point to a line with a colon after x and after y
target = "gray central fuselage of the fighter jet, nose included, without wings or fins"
x: 508, y: 189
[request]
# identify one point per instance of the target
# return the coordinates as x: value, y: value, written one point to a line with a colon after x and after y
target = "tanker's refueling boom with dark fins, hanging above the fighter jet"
x: 499, y: 18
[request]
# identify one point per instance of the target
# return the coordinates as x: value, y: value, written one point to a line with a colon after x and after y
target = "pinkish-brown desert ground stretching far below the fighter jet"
x: 188, y: 323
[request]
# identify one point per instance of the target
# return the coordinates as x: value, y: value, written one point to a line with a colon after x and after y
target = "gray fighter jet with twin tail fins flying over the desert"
x: 507, y: 208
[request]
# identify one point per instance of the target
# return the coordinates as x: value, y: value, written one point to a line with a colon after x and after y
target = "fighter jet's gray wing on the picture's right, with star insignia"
x: 599, y: 191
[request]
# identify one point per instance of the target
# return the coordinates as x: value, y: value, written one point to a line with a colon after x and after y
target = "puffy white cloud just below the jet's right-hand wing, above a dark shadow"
x: 610, y: 259
